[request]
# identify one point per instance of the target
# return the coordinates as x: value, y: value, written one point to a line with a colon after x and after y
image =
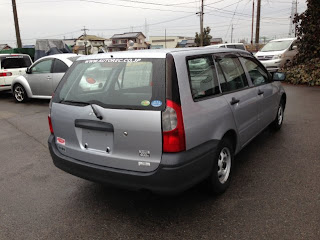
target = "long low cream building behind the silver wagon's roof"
x: 166, y: 41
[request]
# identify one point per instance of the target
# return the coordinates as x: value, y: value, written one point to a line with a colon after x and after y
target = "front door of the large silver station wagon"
x: 261, y: 81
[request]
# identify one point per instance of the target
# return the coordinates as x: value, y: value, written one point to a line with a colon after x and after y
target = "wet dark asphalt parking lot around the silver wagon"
x: 274, y: 194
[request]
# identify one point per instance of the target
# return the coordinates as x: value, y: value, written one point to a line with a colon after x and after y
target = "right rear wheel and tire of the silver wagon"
x: 220, y: 177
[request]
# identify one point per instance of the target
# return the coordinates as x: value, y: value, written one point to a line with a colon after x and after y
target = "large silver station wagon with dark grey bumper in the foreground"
x: 162, y: 120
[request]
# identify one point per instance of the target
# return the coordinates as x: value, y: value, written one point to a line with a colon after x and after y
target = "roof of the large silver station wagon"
x: 157, y: 53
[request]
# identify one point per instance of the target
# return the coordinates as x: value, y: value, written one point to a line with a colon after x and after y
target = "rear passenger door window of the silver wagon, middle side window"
x: 233, y: 74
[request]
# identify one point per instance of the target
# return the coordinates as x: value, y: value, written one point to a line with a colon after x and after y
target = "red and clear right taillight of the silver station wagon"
x: 173, y: 128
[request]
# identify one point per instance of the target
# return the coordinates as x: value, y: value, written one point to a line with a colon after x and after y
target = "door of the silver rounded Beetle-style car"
x: 40, y: 78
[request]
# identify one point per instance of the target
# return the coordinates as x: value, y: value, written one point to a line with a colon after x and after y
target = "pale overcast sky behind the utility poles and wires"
x: 65, y: 18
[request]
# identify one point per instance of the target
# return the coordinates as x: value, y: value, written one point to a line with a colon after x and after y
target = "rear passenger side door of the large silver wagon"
x: 242, y: 99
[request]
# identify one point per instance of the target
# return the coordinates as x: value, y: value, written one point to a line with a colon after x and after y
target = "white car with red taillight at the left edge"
x: 12, y: 66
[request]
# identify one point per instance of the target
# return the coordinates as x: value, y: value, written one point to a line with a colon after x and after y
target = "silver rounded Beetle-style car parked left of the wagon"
x: 42, y: 77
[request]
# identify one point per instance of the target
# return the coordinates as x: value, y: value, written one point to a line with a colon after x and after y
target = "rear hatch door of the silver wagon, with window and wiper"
x: 109, y: 113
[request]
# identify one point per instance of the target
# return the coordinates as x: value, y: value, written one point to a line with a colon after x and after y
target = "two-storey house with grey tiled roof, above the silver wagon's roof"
x: 120, y: 42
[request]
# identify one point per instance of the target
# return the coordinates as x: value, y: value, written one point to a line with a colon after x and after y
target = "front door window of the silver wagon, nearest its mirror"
x: 257, y: 74
